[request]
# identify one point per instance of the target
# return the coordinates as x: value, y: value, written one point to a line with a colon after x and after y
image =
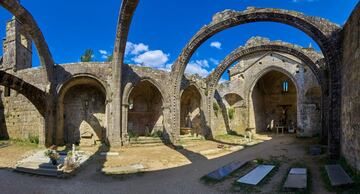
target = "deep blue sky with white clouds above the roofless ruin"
x: 161, y: 28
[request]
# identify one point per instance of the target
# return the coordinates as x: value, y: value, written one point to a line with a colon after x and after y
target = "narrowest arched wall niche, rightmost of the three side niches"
x: 190, y: 112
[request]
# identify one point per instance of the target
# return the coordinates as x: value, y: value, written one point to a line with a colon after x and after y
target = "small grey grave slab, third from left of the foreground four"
x: 297, y: 179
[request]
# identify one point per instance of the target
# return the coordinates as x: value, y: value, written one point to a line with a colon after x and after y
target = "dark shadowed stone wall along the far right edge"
x: 350, y: 134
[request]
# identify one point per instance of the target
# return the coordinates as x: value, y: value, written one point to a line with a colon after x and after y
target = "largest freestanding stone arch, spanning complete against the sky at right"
x: 325, y: 33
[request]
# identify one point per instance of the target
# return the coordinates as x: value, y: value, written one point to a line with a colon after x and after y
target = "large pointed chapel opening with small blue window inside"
x: 273, y: 103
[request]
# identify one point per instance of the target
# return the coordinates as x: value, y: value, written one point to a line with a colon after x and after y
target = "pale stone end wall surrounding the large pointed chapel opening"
x: 244, y: 76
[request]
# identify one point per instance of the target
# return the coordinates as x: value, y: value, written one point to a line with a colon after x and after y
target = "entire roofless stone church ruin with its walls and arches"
x: 274, y: 85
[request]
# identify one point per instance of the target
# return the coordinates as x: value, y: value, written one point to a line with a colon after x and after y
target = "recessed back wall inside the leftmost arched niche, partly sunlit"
x: 84, y: 115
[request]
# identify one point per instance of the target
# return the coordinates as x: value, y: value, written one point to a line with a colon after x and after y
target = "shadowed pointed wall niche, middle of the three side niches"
x: 145, y: 114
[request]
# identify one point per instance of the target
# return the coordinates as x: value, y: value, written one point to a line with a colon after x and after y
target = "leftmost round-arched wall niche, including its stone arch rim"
x: 82, y: 112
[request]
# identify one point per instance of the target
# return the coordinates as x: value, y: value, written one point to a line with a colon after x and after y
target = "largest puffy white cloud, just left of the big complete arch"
x: 155, y: 59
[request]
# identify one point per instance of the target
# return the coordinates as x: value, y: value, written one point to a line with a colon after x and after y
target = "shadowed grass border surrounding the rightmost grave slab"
x: 353, y: 173
